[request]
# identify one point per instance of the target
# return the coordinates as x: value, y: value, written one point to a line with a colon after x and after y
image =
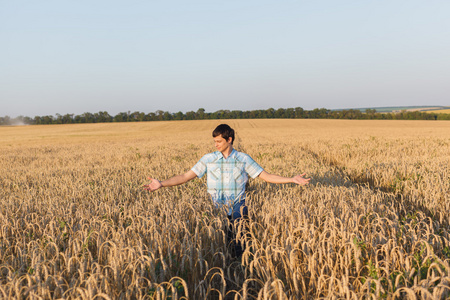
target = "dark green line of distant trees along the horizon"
x: 200, y: 114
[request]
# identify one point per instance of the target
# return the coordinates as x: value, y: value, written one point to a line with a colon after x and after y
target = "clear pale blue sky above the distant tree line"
x: 89, y: 56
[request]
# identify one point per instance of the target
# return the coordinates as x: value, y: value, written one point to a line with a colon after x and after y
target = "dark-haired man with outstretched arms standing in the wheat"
x: 227, y: 175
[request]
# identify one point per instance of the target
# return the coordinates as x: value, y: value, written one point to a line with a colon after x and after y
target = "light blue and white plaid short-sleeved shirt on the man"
x: 227, y: 178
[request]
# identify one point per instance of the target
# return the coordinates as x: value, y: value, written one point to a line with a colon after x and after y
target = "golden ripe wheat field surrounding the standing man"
x: 75, y: 222
